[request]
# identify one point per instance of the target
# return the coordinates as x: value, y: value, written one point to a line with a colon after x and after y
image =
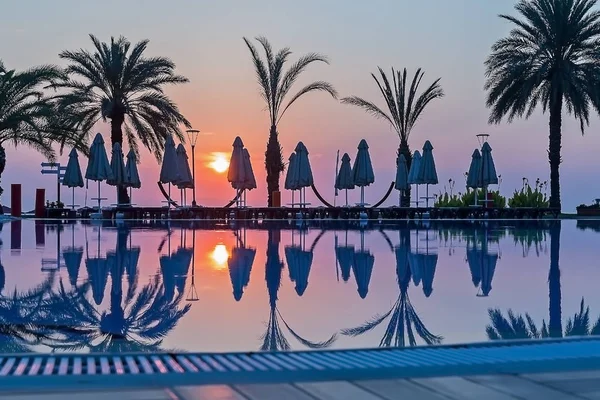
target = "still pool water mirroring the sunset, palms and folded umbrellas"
x: 275, y: 286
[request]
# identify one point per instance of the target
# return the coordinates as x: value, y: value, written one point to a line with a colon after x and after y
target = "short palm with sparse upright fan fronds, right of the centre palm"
x: 403, y: 111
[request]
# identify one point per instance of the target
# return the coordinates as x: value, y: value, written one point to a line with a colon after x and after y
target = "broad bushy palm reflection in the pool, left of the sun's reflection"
x: 137, y: 323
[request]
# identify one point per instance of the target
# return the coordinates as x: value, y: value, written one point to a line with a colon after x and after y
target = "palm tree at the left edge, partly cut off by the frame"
x: 27, y: 115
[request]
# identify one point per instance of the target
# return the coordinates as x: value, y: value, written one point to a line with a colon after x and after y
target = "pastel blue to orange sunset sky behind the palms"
x: 204, y: 38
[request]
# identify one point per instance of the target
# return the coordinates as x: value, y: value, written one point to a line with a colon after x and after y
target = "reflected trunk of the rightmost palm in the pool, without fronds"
x: 555, y: 308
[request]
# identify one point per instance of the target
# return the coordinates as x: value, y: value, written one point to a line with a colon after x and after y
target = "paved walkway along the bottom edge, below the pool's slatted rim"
x: 567, y: 386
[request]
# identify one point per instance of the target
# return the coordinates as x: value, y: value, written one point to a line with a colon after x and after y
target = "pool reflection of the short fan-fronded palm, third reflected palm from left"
x: 404, y: 321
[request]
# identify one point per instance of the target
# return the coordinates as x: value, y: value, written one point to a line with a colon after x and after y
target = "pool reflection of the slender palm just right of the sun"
x: 273, y: 338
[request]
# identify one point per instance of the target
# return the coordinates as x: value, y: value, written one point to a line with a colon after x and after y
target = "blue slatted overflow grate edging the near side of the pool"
x: 33, y: 372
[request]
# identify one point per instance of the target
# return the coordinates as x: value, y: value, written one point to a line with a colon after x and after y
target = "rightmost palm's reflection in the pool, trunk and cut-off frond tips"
x: 516, y: 326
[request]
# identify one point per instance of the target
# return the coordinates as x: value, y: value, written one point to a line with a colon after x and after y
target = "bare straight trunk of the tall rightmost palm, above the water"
x: 554, y: 150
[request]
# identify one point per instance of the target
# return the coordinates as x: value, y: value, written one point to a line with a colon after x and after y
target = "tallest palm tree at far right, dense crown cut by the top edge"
x: 550, y: 57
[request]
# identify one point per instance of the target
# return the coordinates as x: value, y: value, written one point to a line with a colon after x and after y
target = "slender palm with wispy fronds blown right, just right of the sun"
x: 275, y: 84
